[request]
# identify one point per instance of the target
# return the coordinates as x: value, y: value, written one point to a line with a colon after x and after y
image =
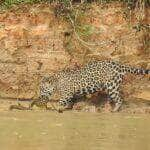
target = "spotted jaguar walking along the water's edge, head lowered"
x: 94, y: 76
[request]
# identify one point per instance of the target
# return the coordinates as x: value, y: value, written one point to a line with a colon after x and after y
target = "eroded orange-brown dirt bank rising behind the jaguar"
x: 39, y: 39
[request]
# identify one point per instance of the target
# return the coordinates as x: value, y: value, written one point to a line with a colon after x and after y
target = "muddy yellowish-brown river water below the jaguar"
x: 40, y: 130
